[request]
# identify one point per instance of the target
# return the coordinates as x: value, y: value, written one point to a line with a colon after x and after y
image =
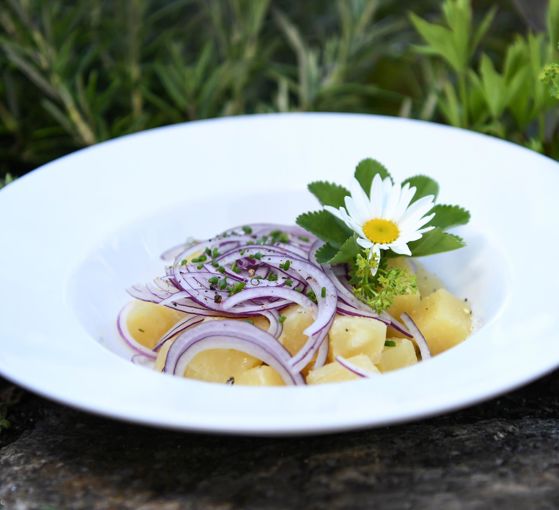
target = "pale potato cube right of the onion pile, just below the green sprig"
x: 350, y: 336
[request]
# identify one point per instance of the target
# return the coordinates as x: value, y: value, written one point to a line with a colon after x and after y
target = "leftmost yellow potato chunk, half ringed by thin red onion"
x: 148, y: 322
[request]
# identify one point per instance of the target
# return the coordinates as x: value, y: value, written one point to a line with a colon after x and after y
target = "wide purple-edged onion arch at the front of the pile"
x: 228, y: 334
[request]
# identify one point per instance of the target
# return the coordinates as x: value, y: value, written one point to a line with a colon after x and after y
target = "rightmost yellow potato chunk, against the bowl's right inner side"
x: 443, y: 319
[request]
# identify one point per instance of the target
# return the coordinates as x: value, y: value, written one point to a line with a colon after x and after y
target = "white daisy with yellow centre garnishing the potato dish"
x: 386, y: 220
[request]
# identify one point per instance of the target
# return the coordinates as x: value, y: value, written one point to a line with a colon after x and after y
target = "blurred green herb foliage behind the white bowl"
x: 74, y: 74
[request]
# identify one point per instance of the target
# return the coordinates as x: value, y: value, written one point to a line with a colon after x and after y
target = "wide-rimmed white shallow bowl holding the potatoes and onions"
x: 81, y: 229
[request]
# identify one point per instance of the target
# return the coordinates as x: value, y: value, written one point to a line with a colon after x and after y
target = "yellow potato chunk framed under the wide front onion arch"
x: 219, y: 365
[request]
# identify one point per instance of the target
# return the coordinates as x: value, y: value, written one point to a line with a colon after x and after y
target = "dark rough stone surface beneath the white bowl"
x: 503, y: 454
